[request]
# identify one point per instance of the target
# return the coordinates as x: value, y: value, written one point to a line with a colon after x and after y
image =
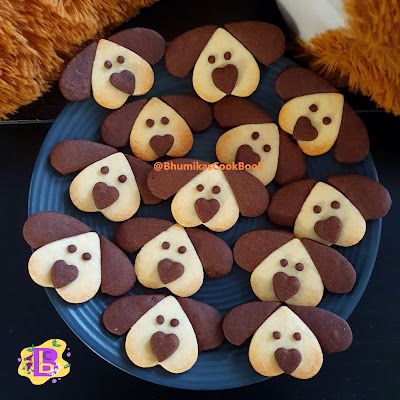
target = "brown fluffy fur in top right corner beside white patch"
x: 366, y: 56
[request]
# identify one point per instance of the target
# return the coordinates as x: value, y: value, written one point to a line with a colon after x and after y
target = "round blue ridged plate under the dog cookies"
x: 226, y: 366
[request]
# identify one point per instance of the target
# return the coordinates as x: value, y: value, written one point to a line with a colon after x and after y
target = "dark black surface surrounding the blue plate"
x: 368, y: 370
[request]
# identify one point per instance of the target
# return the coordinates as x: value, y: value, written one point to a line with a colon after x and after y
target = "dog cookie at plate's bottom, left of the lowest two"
x: 164, y: 330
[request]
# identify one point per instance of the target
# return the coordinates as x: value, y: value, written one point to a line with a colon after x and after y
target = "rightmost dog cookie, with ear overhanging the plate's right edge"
x: 334, y: 212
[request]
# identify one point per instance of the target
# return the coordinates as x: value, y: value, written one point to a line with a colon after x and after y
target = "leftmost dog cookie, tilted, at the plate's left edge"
x: 74, y: 260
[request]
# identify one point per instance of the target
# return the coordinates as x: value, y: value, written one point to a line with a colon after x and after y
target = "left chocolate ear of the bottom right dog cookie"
x: 242, y: 321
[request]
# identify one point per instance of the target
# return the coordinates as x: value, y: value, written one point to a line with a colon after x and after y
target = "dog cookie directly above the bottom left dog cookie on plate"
x: 172, y: 256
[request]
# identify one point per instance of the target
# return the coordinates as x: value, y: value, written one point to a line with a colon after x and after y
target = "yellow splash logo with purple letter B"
x: 44, y: 362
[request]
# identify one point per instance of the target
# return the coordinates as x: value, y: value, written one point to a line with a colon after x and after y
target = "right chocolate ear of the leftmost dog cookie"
x: 117, y: 272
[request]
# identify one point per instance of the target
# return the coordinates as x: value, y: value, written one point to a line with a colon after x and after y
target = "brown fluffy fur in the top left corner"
x: 37, y: 36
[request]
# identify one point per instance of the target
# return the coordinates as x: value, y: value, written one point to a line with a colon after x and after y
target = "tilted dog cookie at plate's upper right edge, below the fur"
x: 316, y: 115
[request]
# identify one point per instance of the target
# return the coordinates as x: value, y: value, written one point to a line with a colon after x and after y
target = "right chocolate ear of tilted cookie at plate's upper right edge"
x: 352, y: 143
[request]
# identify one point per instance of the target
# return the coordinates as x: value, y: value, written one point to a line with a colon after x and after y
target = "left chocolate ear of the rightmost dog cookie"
x: 287, y: 202
